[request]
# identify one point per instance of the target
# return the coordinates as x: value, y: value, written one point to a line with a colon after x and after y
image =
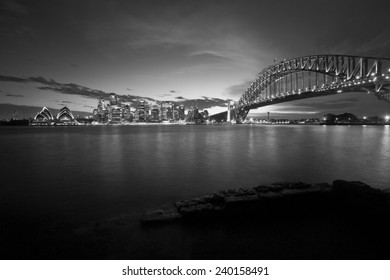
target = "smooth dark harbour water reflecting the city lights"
x: 65, y: 178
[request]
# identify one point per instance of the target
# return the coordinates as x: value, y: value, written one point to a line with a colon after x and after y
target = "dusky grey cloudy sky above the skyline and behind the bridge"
x: 201, y: 53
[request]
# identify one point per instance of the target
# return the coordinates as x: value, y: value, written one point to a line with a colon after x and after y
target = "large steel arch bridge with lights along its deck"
x: 314, y: 76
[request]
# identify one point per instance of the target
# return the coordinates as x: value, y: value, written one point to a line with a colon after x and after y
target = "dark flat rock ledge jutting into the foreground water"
x: 277, y: 199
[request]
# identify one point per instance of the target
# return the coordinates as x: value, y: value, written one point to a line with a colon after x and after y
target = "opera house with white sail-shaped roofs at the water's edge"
x: 45, y: 117
